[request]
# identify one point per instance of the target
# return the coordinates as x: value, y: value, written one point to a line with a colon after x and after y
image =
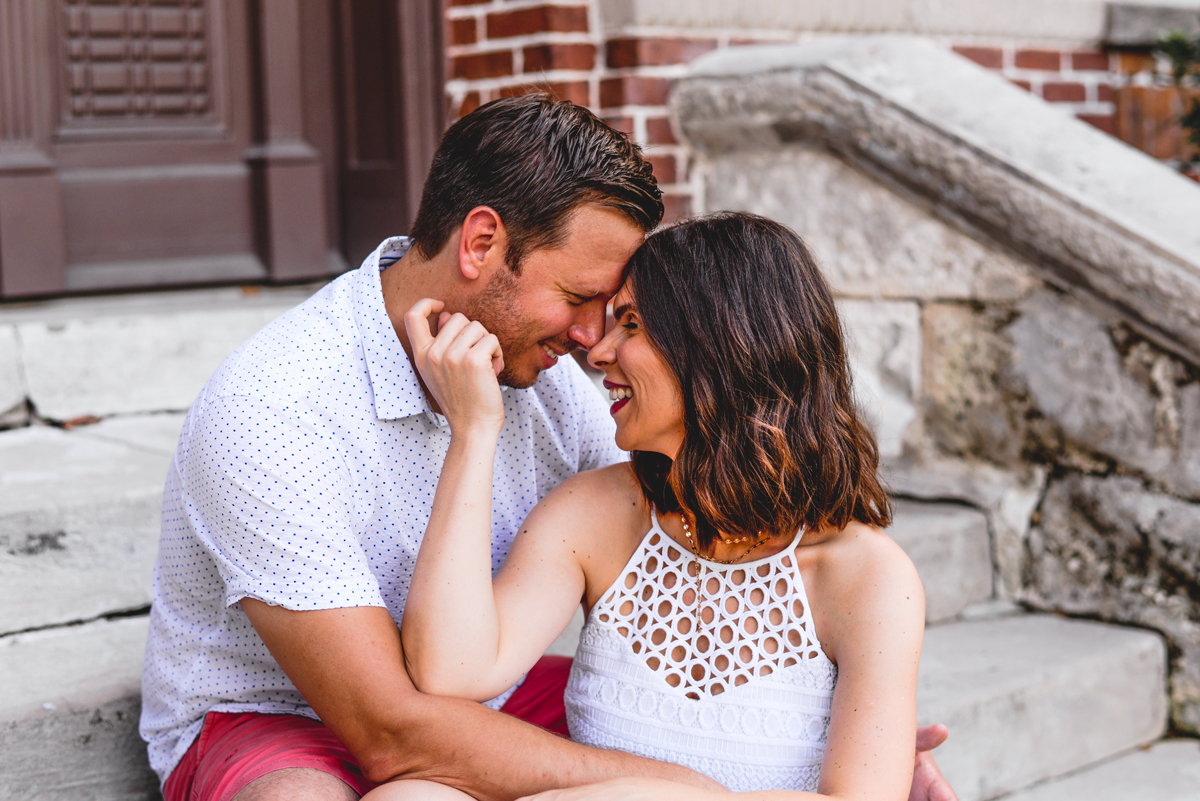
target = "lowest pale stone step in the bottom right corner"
x: 1166, y: 772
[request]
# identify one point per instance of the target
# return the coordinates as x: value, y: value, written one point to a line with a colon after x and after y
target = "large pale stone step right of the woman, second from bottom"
x: 1033, y: 697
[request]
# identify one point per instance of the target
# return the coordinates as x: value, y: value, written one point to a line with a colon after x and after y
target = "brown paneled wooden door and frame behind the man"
x: 149, y: 143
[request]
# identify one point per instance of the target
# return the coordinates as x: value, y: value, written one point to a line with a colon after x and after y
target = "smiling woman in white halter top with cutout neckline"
x: 747, y: 617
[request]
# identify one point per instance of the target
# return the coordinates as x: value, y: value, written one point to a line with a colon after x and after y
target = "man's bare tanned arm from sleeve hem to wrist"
x: 349, y: 666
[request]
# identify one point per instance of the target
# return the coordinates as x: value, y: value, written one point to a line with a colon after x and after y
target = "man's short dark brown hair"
x: 535, y: 161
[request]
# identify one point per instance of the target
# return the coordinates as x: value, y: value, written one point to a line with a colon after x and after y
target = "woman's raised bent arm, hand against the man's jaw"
x: 460, y: 637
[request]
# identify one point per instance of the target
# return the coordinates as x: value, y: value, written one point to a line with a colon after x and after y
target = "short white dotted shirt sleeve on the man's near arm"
x: 269, y: 495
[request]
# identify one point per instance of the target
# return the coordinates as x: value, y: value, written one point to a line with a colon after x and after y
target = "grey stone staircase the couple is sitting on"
x: 1063, y: 708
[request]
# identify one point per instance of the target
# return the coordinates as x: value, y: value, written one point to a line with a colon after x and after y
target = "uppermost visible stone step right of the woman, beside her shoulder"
x: 952, y: 552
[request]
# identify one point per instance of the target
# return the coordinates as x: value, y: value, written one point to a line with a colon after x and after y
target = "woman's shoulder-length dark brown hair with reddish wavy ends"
x: 739, y: 309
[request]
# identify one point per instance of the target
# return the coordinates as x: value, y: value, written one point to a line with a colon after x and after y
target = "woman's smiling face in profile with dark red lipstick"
x: 647, y: 403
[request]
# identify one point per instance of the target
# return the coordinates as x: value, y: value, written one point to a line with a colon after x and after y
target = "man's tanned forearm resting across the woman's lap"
x: 496, y: 757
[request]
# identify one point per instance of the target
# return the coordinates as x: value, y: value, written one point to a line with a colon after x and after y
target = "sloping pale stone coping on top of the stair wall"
x: 1095, y: 216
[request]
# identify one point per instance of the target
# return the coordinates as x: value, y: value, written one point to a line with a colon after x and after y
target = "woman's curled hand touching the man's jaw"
x: 459, y: 366
